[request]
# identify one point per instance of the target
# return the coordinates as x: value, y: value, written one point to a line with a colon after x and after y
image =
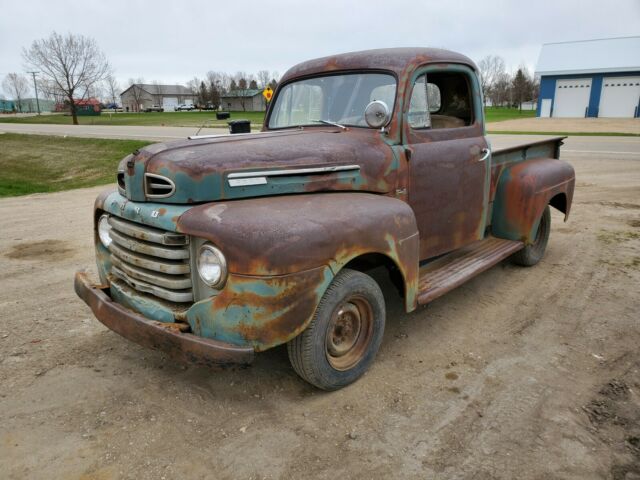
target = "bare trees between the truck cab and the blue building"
x: 504, y: 89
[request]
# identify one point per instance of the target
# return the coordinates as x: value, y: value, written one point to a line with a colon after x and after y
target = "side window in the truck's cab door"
x: 441, y: 100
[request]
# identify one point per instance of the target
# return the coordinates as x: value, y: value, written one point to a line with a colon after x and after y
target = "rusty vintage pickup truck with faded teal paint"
x: 217, y: 247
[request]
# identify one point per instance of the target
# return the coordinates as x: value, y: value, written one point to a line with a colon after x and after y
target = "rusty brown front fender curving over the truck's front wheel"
x: 283, y: 235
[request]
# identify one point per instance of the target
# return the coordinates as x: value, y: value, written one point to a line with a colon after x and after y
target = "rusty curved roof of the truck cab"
x: 397, y: 60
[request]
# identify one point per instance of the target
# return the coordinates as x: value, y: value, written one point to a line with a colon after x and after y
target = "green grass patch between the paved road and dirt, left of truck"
x: 39, y: 163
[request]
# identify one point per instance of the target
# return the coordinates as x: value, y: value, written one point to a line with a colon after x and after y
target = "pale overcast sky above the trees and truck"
x: 175, y: 41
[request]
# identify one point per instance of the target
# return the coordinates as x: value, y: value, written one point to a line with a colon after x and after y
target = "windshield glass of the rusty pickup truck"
x: 333, y: 98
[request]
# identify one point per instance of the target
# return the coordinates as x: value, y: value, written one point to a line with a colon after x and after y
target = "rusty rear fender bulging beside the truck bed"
x: 524, y: 190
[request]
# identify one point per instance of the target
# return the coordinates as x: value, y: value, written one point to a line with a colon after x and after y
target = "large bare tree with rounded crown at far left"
x: 74, y: 63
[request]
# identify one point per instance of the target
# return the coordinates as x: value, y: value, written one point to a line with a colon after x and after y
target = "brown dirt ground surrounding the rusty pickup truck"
x: 521, y: 373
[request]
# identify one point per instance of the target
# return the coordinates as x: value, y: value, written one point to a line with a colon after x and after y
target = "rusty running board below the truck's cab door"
x: 455, y: 268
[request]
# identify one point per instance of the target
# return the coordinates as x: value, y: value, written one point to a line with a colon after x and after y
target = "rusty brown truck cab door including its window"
x: 448, y: 160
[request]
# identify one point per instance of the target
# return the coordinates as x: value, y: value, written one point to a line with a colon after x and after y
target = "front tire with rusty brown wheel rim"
x: 328, y: 354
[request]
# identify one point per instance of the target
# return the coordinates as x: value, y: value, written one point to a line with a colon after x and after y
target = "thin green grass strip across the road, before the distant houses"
x: 170, y: 119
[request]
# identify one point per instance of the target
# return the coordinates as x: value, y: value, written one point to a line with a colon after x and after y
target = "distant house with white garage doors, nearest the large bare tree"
x: 142, y: 95
